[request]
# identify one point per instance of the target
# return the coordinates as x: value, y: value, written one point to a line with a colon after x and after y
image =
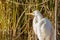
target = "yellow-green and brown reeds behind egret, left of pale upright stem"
x: 15, y: 24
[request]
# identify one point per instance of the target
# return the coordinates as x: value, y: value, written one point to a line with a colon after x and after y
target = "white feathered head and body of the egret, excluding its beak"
x: 42, y: 27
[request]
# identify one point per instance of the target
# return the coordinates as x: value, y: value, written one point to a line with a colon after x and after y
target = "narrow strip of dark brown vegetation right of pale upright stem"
x: 58, y: 20
